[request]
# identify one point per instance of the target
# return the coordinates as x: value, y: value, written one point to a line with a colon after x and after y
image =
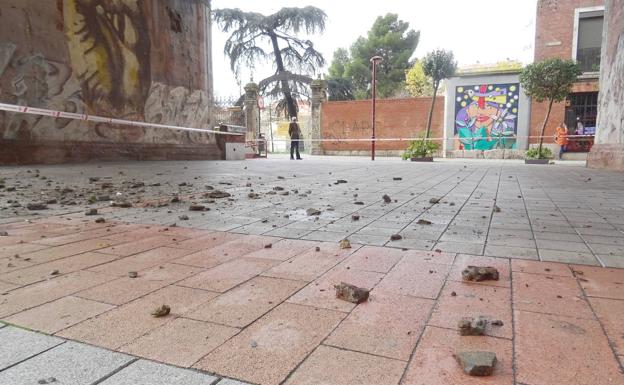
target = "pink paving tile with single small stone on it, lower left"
x: 124, y: 324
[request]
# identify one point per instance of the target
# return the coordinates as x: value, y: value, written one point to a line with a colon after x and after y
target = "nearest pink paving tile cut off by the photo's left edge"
x: 34, y: 295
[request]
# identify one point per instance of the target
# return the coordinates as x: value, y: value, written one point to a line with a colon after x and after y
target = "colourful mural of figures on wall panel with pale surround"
x: 488, y: 112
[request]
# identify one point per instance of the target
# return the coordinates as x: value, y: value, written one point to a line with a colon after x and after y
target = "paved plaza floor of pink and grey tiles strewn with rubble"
x: 250, y: 278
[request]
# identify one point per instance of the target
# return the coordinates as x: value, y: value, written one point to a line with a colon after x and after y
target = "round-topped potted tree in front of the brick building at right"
x: 549, y: 81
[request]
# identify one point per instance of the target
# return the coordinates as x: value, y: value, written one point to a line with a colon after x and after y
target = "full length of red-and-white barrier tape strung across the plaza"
x: 99, y: 119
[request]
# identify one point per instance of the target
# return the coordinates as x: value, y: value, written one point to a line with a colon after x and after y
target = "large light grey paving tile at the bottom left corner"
x: 70, y: 364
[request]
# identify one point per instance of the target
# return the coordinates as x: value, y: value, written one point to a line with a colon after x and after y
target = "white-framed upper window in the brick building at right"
x: 588, y: 39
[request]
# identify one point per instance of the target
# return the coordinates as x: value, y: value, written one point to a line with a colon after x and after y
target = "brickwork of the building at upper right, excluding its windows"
x: 554, y: 35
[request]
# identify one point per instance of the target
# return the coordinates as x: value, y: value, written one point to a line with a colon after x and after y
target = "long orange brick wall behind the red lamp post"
x: 396, y: 118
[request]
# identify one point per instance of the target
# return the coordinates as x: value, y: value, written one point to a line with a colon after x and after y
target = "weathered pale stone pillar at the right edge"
x: 608, y: 152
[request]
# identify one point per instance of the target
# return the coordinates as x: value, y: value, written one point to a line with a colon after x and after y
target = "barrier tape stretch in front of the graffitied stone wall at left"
x: 100, y: 119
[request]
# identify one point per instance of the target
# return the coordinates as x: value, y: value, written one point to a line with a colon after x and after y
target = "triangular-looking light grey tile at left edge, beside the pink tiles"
x: 18, y: 344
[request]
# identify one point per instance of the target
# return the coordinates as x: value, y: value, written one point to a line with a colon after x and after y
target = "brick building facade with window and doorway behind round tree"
x: 570, y: 29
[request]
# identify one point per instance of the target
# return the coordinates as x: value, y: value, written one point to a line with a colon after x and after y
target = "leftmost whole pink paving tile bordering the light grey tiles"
x: 58, y: 315
